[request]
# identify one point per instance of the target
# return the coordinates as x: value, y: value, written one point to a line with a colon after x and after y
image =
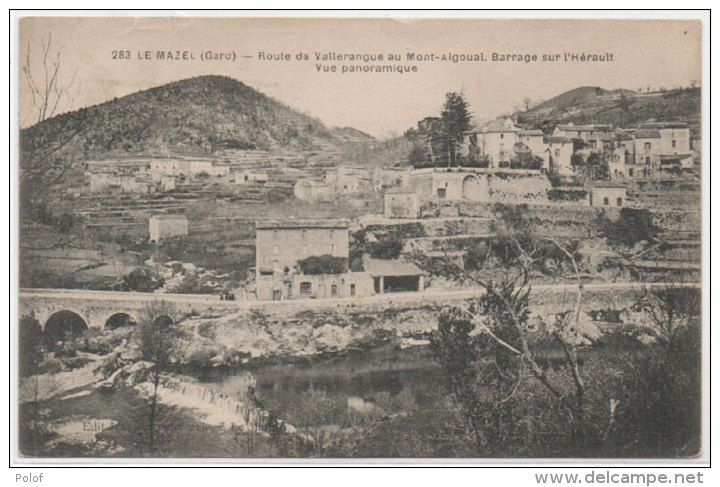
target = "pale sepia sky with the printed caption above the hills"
x: 645, y: 53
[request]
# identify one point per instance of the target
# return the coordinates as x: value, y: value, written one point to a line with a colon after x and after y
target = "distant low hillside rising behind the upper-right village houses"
x: 622, y: 108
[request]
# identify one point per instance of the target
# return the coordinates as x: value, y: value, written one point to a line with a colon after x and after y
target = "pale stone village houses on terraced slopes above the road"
x: 574, y: 170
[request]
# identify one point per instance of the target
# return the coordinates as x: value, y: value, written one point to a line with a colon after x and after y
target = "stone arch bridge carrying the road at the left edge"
x: 96, y: 308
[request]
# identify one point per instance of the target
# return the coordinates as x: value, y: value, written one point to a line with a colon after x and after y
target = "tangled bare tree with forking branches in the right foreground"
x: 501, y: 316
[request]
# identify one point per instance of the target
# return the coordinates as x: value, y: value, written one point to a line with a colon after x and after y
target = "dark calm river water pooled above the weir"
x: 397, y: 378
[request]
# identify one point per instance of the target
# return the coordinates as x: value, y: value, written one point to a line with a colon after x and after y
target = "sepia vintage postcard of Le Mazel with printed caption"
x: 345, y: 238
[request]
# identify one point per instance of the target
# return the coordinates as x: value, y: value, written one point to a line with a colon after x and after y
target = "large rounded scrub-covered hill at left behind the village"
x: 194, y: 116
